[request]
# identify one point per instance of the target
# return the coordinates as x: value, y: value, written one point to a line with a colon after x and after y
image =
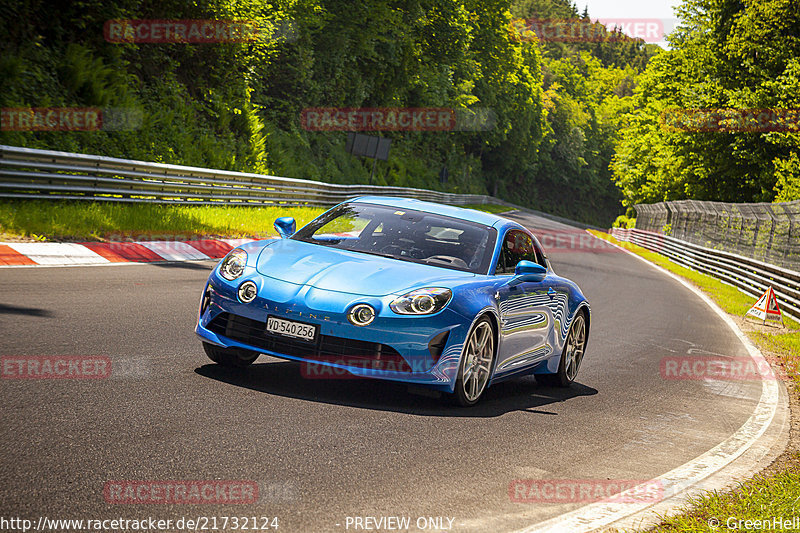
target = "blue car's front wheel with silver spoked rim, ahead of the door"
x: 476, y: 364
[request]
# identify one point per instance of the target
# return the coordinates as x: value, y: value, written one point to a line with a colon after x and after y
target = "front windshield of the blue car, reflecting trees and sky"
x: 404, y: 234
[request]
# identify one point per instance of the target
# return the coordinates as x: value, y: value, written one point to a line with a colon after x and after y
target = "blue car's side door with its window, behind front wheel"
x: 526, y: 308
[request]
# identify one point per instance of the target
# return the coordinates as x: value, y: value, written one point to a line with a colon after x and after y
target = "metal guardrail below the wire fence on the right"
x: 748, y: 275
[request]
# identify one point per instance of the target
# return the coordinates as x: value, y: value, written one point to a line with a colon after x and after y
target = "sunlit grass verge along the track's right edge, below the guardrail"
x: 773, y: 495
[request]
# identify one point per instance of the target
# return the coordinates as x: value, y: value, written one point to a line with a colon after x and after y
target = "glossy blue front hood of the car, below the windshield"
x: 332, y: 269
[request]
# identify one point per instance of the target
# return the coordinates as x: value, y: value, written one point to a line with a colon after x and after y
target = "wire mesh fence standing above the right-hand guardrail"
x: 763, y: 231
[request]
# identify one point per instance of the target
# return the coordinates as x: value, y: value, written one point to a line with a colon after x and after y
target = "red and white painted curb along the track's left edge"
x: 21, y: 254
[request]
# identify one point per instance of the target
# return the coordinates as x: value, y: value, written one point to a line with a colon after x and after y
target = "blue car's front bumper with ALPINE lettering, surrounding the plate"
x: 424, y: 350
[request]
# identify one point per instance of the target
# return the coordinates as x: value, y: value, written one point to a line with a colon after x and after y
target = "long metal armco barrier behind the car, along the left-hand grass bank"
x: 46, y: 174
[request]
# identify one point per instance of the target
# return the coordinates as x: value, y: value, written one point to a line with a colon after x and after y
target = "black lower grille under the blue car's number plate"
x: 327, y: 348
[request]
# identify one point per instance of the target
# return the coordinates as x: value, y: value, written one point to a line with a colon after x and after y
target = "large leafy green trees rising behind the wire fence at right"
x: 725, y: 55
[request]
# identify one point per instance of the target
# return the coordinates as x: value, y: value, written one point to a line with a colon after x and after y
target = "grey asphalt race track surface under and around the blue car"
x: 323, y: 450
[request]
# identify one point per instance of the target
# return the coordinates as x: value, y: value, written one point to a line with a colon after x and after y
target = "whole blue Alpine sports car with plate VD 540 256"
x: 399, y: 289
